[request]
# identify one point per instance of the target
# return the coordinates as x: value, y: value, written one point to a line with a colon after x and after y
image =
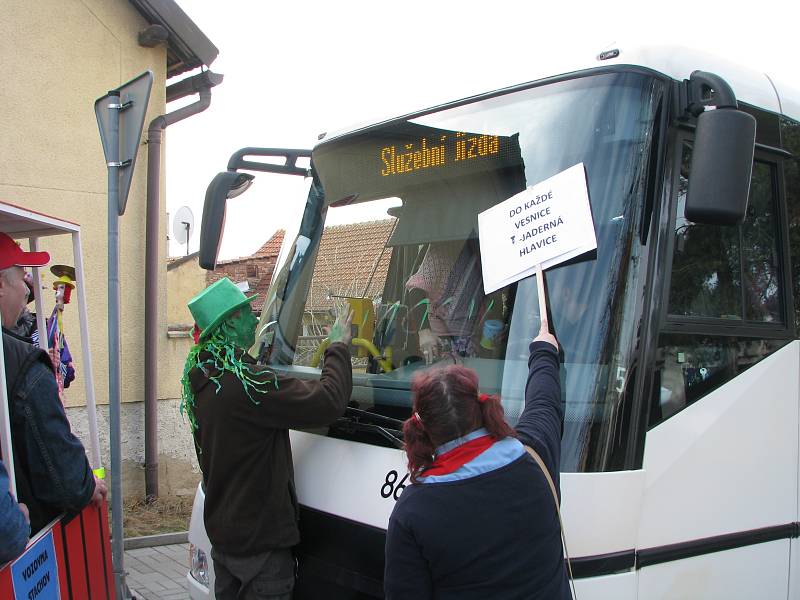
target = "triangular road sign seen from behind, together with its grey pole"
x: 120, y: 117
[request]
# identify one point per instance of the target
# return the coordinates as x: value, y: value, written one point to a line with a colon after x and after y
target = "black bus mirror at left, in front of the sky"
x: 227, y: 184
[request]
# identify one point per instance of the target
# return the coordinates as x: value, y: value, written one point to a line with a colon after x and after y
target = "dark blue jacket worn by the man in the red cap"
x: 50, y: 464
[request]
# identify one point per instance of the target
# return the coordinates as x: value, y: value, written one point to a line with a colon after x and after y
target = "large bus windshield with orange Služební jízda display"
x: 390, y: 230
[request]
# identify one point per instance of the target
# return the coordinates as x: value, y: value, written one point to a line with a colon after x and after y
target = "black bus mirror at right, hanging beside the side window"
x: 722, y: 163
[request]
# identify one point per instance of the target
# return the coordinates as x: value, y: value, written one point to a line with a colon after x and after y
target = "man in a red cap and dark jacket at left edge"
x: 52, y: 472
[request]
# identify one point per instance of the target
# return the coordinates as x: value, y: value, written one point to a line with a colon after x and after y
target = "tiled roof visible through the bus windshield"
x: 348, y: 256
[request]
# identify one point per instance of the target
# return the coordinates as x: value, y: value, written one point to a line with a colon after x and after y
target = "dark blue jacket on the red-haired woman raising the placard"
x: 490, y: 529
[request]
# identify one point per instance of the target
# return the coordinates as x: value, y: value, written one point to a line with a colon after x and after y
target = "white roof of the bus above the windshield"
x: 677, y: 62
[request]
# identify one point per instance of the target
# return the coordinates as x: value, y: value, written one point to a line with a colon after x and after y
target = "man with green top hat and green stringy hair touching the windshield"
x: 240, y: 414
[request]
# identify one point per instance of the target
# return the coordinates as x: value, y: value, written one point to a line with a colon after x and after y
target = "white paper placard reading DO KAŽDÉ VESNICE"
x: 546, y: 224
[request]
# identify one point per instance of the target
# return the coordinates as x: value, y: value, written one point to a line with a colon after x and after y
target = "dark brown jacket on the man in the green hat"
x: 245, y: 455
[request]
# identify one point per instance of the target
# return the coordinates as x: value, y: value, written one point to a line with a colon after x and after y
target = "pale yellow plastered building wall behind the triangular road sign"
x: 59, y: 57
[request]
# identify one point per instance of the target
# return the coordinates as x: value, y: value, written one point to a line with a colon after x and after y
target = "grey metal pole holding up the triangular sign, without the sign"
x: 114, y: 366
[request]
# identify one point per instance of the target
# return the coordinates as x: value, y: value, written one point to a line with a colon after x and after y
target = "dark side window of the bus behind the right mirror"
x: 725, y: 282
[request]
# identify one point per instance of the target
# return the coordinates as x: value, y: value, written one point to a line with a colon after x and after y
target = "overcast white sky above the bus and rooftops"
x: 295, y: 70
